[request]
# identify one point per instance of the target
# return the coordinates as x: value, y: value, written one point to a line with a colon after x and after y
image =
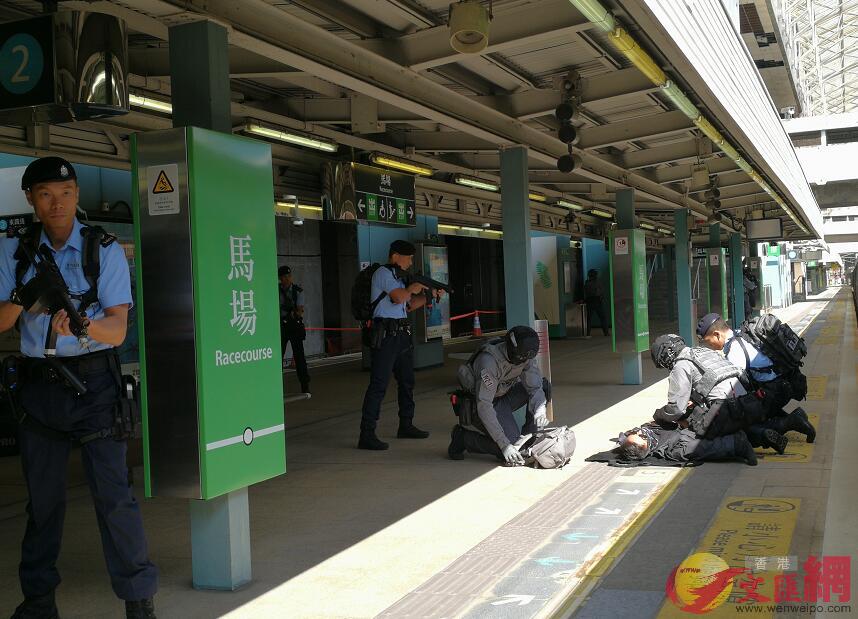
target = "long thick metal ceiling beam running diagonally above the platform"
x: 271, y: 32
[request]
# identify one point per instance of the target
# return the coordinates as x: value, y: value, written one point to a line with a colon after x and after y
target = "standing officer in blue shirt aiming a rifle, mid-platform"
x: 391, y: 347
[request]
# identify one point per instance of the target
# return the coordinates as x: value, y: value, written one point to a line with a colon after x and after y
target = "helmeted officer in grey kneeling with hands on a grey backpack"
x: 498, y: 379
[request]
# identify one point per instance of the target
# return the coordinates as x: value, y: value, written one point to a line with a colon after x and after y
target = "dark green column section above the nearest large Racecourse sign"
x: 199, y: 76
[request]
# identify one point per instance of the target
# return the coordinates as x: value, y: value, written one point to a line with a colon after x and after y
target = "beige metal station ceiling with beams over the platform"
x: 380, y: 75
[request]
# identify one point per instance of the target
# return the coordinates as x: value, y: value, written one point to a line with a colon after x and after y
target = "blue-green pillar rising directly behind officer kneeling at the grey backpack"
x: 518, y: 274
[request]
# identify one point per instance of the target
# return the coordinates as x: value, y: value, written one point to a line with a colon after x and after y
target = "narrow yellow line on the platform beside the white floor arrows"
x: 570, y: 603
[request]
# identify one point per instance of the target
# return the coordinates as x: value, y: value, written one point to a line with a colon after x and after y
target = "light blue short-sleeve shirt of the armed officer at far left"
x: 114, y: 288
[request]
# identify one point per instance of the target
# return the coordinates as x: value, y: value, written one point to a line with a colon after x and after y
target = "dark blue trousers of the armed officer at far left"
x: 44, y: 459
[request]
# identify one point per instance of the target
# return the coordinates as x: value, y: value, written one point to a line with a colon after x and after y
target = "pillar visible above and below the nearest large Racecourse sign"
x: 199, y: 75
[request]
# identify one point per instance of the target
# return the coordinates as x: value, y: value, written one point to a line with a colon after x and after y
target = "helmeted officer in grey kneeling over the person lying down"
x: 706, y: 394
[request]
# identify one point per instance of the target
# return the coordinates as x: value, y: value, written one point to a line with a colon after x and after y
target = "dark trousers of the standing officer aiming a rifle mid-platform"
x: 395, y: 356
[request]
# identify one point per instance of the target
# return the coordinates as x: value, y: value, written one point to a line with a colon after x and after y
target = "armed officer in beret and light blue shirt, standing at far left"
x: 54, y: 417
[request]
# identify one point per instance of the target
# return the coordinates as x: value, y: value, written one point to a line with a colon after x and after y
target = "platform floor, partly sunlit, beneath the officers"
x: 407, y: 532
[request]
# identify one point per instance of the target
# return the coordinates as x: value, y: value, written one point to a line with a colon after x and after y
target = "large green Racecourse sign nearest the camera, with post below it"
x: 212, y: 390
